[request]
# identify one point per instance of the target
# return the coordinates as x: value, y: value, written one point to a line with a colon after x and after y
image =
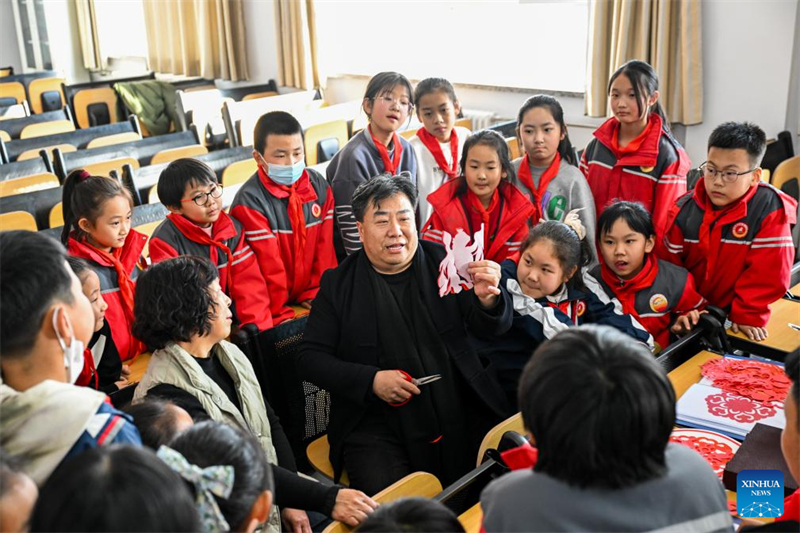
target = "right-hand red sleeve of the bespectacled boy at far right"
x: 767, y: 272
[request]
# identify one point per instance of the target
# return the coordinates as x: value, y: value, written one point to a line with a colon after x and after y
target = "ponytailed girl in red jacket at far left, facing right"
x: 97, y: 228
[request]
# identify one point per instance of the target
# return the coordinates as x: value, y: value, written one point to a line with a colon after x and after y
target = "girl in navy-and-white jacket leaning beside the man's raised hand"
x: 549, y: 296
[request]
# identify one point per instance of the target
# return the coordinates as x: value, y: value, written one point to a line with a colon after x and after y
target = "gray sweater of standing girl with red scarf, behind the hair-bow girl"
x: 567, y: 191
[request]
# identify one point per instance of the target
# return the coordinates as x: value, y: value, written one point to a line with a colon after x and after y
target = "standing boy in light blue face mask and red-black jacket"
x: 287, y: 213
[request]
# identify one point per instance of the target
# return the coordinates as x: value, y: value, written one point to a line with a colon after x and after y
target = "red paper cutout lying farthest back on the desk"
x: 759, y: 381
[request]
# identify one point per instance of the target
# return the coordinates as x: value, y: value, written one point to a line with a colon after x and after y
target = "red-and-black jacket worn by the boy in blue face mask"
x: 262, y: 206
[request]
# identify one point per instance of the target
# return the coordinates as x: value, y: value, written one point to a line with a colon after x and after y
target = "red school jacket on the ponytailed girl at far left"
x: 118, y: 315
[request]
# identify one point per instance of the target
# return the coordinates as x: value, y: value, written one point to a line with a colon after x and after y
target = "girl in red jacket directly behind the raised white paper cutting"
x: 483, y: 195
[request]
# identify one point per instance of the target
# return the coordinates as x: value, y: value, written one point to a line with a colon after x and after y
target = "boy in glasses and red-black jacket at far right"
x: 733, y: 231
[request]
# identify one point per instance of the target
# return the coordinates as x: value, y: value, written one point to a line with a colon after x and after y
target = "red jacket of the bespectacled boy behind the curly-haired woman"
x: 239, y: 275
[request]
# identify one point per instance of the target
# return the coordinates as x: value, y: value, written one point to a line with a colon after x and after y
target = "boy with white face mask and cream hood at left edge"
x: 45, y: 323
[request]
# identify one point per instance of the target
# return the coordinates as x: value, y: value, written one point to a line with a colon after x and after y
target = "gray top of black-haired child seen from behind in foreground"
x: 688, y: 497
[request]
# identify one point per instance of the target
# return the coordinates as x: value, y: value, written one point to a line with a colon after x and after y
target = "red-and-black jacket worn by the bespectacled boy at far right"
x: 740, y: 256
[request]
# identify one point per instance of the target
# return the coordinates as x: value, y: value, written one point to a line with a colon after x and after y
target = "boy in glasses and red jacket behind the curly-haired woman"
x: 197, y: 225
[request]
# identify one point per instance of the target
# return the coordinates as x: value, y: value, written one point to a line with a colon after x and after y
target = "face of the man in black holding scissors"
x: 389, y: 234
